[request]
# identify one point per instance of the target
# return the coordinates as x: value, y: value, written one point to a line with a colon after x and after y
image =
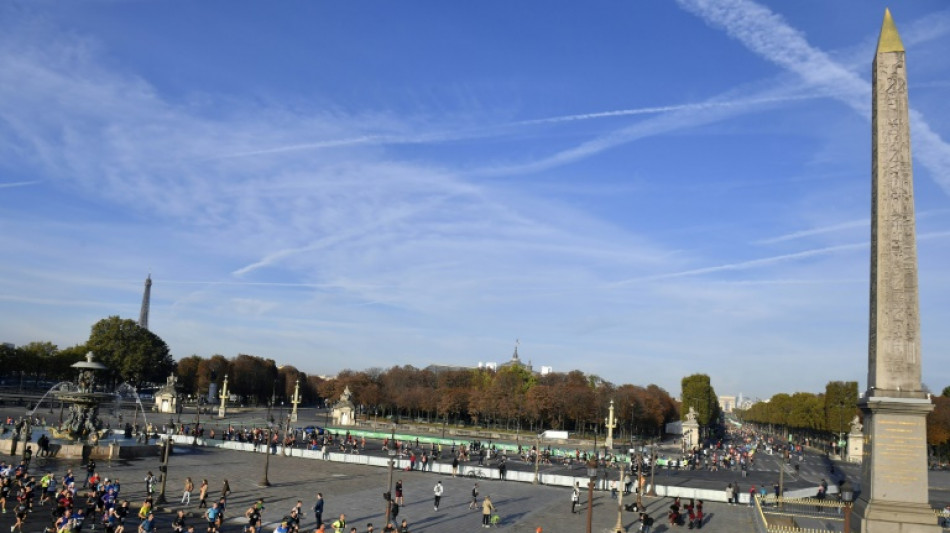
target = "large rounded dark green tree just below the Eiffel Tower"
x: 132, y: 353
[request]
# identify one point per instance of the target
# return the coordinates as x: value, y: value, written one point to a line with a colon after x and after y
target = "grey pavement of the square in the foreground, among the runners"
x: 357, y: 492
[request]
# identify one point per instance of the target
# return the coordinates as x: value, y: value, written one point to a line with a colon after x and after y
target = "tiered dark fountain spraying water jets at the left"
x: 80, y: 432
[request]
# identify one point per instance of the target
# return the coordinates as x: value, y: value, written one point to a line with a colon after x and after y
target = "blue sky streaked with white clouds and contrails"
x: 639, y: 190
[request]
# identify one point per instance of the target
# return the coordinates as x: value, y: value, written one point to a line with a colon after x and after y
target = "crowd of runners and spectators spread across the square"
x: 89, y: 501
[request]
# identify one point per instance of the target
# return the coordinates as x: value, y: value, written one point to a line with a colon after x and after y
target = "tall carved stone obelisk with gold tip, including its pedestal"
x: 893, y: 497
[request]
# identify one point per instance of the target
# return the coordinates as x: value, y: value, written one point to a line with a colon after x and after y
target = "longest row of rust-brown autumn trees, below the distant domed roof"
x: 511, y: 397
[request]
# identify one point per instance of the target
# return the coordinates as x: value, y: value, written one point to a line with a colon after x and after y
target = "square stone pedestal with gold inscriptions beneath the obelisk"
x: 894, y: 496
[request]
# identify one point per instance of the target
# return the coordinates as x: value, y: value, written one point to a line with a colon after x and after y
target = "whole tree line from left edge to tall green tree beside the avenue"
x: 511, y: 397
